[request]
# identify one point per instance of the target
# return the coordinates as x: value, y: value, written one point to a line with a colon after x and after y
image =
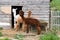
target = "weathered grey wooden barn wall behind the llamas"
x: 39, y: 8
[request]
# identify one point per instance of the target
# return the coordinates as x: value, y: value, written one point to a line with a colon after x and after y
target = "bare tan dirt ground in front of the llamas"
x: 11, y: 33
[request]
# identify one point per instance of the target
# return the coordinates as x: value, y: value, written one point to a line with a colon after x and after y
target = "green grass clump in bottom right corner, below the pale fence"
x: 52, y: 35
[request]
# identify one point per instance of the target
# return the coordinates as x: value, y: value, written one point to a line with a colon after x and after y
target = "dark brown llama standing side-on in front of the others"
x: 30, y: 21
